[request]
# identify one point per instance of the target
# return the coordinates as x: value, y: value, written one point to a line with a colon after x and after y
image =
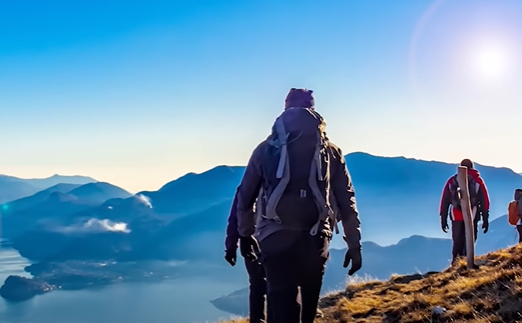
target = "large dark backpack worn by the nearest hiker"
x: 290, y: 188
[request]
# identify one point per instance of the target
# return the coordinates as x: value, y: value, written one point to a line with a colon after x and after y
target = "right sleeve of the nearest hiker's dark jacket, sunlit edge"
x: 343, y: 190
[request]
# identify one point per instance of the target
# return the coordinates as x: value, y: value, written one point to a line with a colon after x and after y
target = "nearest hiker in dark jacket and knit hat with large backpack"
x: 303, y: 176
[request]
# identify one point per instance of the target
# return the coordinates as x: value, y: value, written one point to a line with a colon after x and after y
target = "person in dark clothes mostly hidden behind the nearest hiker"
x: 256, y: 274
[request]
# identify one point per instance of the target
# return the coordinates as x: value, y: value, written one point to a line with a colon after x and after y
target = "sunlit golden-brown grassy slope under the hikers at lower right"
x: 491, y: 293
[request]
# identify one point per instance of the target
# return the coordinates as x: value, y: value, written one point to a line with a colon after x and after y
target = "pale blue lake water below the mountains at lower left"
x: 184, y: 300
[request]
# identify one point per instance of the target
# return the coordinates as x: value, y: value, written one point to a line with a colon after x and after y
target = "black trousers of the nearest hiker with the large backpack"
x: 292, y: 261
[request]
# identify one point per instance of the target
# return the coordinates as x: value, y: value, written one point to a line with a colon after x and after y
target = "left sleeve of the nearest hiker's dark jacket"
x: 248, y: 192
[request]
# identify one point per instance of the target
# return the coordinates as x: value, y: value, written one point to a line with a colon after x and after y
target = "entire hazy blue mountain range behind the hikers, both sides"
x: 186, y: 219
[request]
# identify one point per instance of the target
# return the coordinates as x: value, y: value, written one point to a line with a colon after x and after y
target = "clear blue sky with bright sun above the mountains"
x: 138, y: 93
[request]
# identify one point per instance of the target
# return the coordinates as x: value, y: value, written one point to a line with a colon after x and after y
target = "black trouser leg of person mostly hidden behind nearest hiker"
x: 257, y: 292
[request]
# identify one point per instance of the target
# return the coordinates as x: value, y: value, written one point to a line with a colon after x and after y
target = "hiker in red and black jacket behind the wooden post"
x: 479, y: 199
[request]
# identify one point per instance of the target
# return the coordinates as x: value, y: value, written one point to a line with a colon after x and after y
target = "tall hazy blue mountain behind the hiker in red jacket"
x: 401, y: 195
